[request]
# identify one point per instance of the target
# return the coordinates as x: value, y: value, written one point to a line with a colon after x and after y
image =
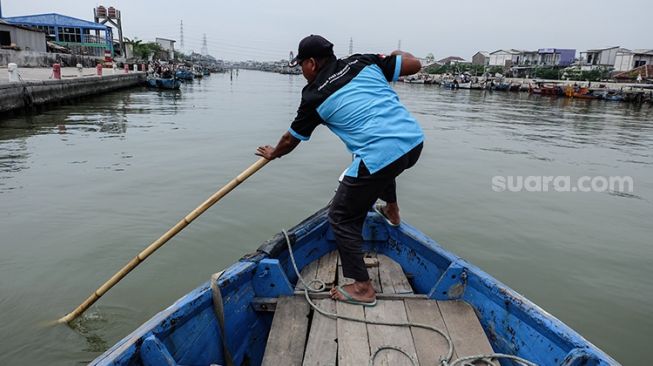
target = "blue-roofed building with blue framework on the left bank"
x: 81, y: 37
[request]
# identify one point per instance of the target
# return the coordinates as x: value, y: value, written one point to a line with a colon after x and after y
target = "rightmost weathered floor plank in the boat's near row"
x: 464, y: 328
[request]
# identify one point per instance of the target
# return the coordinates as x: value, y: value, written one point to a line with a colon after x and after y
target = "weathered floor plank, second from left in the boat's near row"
x: 322, y: 346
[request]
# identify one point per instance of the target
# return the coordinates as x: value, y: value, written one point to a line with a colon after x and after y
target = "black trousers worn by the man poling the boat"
x: 353, y: 199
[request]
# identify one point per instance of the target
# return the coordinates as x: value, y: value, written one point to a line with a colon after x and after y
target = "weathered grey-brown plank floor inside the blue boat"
x: 301, y: 336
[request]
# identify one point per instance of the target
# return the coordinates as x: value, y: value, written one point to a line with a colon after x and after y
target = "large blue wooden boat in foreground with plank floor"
x: 250, y: 313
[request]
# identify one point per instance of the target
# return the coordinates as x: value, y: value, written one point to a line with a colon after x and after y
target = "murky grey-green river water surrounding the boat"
x: 84, y: 187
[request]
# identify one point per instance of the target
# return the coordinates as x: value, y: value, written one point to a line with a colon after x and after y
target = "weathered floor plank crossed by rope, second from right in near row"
x: 429, y: 345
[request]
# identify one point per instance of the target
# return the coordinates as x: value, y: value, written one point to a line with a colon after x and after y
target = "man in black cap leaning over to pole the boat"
x: 353, y: 98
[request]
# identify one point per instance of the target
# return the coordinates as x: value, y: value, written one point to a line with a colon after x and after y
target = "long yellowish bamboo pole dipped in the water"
x: 162, y: 240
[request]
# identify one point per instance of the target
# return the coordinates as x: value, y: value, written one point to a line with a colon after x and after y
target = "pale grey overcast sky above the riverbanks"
x: 268, y: 30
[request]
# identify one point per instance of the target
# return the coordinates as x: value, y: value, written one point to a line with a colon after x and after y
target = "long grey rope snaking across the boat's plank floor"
x: 444, y: 361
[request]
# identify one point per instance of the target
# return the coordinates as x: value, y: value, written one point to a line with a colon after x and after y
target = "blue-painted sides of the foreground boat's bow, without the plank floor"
x: 224, y: 321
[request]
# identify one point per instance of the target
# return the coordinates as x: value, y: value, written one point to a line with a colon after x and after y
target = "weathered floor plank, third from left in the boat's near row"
x: 353, y: 345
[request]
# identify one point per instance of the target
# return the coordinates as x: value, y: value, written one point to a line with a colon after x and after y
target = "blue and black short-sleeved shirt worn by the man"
x: 353, y: 98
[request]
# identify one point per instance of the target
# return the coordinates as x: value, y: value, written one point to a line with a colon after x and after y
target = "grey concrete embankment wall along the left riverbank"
x: 28, y: 95
